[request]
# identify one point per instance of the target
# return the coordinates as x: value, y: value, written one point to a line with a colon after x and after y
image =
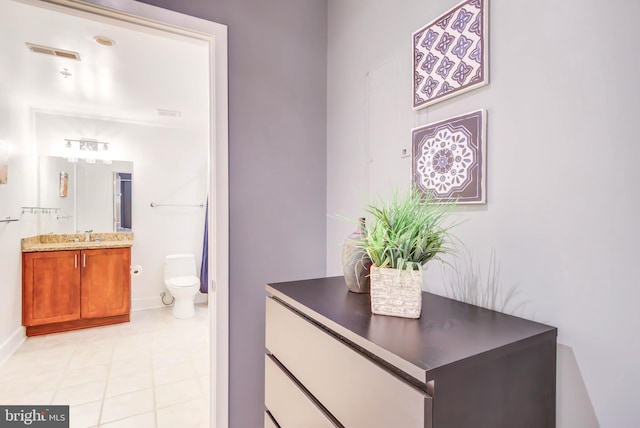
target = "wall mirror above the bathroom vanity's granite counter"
x: 98, y: 197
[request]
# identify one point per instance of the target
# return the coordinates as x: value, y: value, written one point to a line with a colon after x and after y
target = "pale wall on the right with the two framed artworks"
x: 562, y: 168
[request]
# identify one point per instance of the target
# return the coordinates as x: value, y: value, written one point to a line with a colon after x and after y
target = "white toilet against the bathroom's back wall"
x: 181, y: 280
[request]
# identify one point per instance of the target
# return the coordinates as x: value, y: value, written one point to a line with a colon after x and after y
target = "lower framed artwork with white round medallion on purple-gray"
x: 448, y: 158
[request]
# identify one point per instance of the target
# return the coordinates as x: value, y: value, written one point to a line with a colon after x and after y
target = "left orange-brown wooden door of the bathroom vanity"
x: 50, y: 287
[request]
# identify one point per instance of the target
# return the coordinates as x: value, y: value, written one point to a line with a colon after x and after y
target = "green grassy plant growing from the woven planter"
x: 406, y: 231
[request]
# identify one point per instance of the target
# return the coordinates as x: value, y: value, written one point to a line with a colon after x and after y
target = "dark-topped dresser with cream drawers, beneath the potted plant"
x: 330, y: 363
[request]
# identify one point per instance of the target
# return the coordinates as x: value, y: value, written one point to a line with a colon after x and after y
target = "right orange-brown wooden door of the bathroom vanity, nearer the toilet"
x: 106, y: 282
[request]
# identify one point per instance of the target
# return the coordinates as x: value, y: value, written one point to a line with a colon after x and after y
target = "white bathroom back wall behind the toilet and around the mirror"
x: 169, y: 166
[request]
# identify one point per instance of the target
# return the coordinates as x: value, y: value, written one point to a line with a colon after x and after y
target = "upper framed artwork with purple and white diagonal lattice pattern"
x: 450, y: 54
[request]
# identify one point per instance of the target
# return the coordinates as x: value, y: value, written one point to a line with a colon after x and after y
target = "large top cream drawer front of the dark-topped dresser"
x: 355, y: 390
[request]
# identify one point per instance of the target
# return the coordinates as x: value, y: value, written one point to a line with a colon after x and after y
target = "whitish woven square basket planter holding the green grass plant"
x: 396, y: 292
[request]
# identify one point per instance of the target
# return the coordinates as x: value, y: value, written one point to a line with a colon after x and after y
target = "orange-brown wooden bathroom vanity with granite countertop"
x: 69, y: 284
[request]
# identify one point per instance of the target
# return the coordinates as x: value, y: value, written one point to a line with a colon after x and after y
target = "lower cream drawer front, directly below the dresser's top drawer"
x: 288, y: 404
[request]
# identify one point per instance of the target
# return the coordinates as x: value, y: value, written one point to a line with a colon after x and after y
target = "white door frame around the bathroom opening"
x: 215, y: 35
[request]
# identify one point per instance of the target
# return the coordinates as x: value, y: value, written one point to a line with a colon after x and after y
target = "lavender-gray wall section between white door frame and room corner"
x: 277, y: 164
